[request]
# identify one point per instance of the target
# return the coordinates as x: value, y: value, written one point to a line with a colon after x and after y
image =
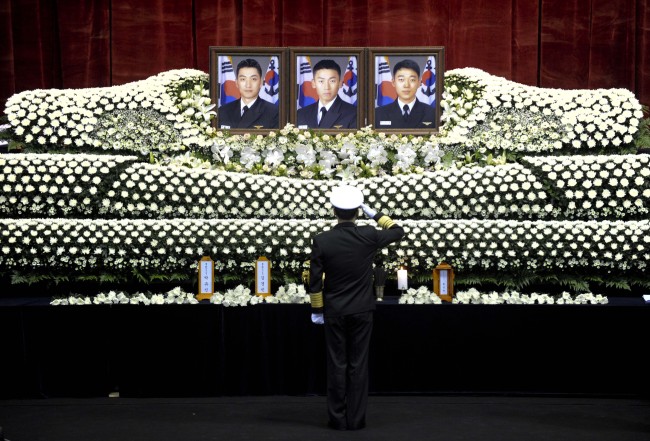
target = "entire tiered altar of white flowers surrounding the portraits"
x: 522, y: 185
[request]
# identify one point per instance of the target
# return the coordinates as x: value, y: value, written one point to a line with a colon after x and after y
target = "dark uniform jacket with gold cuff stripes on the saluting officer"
x: 345, y: 255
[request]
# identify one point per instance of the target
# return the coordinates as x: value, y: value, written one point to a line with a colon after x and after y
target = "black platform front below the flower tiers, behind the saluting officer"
x: 209, y: 350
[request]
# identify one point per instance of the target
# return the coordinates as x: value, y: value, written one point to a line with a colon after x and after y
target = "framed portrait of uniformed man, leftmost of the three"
x: 248, y: 86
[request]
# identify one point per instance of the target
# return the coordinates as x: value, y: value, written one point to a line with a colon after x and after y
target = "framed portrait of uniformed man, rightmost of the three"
x: 406, y: 86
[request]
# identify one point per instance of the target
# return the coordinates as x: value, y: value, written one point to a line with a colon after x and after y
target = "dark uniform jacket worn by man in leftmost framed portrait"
x: 263, y: 114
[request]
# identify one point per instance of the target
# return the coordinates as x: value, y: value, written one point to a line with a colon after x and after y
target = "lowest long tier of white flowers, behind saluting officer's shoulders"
x: 78, y: 245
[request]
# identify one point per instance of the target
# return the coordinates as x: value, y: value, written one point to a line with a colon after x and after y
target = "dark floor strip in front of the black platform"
x: 394, y: 418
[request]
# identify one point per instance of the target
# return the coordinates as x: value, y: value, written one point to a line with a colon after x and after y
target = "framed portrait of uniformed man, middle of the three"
x: 327, y: 88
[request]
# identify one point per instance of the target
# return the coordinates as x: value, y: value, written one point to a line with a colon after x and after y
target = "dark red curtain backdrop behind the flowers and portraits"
x: 549, y: 43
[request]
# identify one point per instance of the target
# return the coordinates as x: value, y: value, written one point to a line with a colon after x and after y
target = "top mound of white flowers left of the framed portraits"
x: 166, y: 112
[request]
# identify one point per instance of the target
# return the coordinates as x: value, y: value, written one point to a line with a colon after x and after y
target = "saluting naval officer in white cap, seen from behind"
x: 342, y: 299
